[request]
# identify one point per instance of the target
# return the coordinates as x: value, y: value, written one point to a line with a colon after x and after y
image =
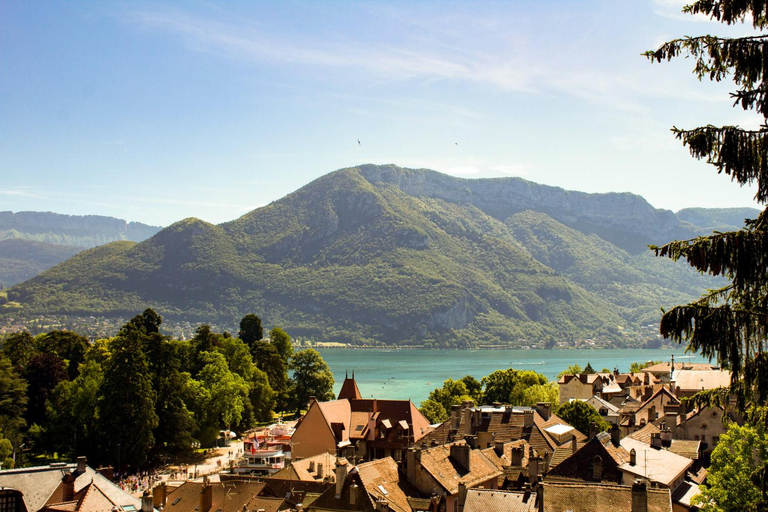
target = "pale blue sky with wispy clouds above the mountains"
x: 158, y: 111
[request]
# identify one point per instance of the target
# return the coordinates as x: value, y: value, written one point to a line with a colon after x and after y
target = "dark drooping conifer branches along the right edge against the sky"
x: 729, y: 324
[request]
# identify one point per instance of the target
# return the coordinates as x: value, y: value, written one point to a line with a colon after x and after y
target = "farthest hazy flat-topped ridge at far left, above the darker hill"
x: 73, y: 230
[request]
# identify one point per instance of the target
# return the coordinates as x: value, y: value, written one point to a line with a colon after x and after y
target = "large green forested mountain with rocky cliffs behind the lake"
x: 381, y: 254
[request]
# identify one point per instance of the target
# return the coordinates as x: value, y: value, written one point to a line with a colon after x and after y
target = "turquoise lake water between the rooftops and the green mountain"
x: 412, y: 374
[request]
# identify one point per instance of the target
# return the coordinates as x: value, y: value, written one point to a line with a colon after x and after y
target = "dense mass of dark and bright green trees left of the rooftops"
x: 142, y: 396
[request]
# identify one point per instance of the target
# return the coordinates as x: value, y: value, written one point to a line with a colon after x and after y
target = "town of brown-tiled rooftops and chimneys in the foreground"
x: 378, y: 455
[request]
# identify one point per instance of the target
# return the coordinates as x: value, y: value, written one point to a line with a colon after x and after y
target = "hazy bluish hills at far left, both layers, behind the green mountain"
x: 31, y: 242
